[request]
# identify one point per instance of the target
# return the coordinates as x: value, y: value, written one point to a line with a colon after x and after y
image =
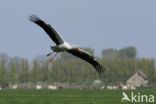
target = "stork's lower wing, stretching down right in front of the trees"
x: 87, y: 57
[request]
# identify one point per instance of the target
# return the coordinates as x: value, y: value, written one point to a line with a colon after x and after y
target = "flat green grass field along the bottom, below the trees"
x: 67, y: 96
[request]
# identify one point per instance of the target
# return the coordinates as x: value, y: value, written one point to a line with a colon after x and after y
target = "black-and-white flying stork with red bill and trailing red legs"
x: 62, y: 45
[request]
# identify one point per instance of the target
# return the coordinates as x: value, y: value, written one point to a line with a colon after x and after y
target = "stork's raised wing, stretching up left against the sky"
x: 47, y: 28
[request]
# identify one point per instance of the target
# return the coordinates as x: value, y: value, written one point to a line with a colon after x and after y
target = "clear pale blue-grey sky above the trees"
x: 97, y: 24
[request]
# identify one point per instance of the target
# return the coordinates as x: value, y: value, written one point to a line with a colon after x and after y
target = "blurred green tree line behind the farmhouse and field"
x: 120, y: 64
